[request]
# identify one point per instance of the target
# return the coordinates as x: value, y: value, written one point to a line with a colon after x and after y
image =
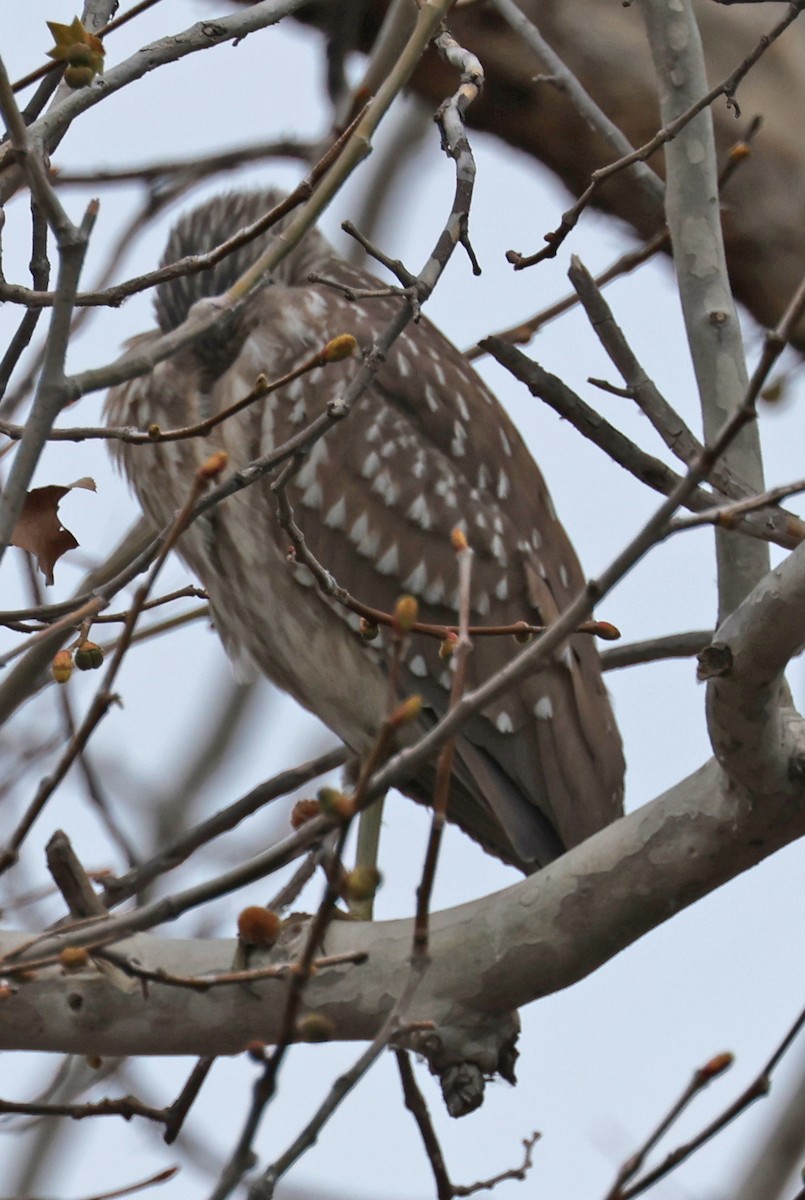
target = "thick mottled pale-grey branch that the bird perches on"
x: 488, y: 958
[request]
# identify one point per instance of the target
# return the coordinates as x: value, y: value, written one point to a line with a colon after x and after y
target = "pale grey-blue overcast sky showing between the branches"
x: 604, y: 1060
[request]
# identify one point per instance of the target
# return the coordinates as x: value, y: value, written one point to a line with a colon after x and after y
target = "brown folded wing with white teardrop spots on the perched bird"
x: 428, y: 449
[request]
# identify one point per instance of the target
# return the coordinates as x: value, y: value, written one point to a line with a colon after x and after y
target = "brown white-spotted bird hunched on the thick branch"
x: 428, y: 449
